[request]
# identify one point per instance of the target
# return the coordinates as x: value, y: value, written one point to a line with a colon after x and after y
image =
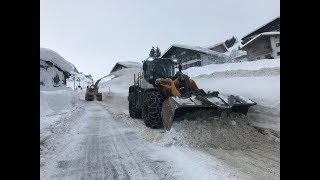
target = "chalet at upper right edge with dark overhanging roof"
x: 264, y: 42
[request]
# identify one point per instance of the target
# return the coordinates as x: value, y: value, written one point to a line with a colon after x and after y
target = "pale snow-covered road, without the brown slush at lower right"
x: 98, y: 146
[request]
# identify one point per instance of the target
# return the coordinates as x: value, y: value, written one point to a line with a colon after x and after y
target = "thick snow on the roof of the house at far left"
x: 50, y: 55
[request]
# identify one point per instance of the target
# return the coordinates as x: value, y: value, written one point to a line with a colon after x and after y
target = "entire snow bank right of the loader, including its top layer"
x: 256, y: 80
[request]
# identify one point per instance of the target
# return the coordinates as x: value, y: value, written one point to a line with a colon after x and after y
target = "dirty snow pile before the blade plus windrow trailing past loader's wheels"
x: 200, y: 130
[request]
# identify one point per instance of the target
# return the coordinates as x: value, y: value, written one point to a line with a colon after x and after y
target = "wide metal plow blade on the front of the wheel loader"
x: 178, y: 106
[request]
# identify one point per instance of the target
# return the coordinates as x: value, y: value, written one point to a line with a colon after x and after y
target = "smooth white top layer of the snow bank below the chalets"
x: 252, y: 65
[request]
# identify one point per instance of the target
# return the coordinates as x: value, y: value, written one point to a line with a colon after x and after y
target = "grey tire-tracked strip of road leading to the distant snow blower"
x: 105, y: 149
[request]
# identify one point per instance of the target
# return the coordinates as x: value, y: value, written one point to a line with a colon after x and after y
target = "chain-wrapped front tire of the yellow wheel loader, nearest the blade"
x: 151, y: 113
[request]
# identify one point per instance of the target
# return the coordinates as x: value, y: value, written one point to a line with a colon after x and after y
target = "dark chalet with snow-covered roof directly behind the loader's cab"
x: 190, y: 56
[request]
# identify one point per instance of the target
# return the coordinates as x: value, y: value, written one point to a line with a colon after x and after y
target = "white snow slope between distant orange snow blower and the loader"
x: 120, y: 82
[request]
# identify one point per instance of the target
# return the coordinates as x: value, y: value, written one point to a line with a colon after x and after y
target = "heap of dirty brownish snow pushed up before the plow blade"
x: 228, y: 133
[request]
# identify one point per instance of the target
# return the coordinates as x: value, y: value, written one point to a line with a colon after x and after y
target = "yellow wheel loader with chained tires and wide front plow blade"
x: 159, y: 94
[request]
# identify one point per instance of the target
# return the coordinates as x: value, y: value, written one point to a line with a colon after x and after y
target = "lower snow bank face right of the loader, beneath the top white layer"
x: 261, y: 86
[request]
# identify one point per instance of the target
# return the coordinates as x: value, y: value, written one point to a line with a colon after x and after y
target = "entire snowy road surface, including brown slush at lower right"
x: 97, y: 144
